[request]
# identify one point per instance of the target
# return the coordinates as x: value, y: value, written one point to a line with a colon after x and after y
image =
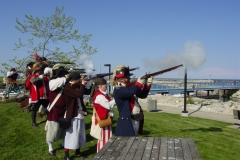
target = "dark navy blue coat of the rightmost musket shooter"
x: 122, y: 98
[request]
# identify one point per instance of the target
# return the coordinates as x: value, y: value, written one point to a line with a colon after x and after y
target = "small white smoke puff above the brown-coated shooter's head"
x: 87, y: 63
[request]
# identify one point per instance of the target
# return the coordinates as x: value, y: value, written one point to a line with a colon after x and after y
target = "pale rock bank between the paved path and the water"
x: 208, y: 105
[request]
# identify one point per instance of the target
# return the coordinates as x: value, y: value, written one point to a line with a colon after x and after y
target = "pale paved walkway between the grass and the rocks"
x: 198, y: 113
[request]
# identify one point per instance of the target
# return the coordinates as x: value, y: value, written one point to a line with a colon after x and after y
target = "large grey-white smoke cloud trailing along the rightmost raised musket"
x: 192, y: 57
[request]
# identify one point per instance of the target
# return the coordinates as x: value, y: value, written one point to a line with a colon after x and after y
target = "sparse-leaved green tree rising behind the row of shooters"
x: 46, y: 35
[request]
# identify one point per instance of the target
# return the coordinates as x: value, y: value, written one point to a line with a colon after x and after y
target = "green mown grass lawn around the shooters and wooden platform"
x: 20, y: 141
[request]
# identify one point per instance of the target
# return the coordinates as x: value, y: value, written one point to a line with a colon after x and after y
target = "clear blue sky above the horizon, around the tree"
x: 204, y: 35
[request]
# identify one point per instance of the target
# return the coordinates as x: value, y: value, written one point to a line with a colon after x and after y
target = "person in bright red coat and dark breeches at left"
x: 38, y: 87
